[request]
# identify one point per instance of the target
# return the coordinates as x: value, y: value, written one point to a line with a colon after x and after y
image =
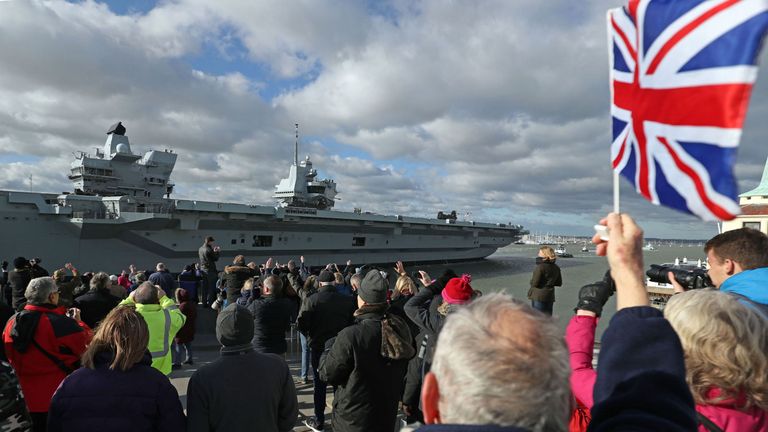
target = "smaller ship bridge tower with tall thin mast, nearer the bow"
x: 301, y: 188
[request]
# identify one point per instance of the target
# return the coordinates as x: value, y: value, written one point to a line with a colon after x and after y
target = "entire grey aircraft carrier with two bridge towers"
x: 121, y: 213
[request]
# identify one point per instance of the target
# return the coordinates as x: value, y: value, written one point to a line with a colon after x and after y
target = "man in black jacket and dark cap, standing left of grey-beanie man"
x: 323, y: 316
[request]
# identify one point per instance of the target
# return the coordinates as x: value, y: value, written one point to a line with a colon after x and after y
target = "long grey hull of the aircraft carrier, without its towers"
x: 114, y: 232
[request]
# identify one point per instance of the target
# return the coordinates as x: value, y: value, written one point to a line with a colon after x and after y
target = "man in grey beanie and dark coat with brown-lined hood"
x: 367, y: 363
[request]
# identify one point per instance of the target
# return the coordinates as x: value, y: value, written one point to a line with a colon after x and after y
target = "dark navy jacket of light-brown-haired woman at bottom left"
x: 100, y: 399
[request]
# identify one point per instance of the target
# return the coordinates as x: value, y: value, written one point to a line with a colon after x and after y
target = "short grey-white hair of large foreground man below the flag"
x: 500, y: 362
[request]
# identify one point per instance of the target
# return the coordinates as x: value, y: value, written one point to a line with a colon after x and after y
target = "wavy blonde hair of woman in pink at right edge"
x: 725, y: 344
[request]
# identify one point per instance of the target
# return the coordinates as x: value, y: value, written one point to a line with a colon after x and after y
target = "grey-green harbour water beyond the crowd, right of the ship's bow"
x: 509, y: 270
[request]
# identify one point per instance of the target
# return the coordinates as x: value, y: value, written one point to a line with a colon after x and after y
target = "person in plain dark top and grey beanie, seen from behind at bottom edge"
x: 242, y: 390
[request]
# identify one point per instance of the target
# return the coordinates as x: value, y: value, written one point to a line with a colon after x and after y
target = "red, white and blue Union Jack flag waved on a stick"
x: 681, y: 75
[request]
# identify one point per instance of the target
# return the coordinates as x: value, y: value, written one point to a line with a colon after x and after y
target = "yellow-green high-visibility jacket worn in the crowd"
x: 164, y: 321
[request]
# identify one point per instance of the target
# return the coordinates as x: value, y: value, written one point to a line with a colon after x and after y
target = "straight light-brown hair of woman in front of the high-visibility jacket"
x: 124, y: 333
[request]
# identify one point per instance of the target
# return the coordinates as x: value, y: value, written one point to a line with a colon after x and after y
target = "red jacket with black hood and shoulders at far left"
x: 59, y: 335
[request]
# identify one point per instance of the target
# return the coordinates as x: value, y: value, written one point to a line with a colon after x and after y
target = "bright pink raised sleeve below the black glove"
x: 580, y: 337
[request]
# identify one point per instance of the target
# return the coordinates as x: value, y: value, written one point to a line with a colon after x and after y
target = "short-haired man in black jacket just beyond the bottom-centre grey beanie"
x: 271, y: 317
